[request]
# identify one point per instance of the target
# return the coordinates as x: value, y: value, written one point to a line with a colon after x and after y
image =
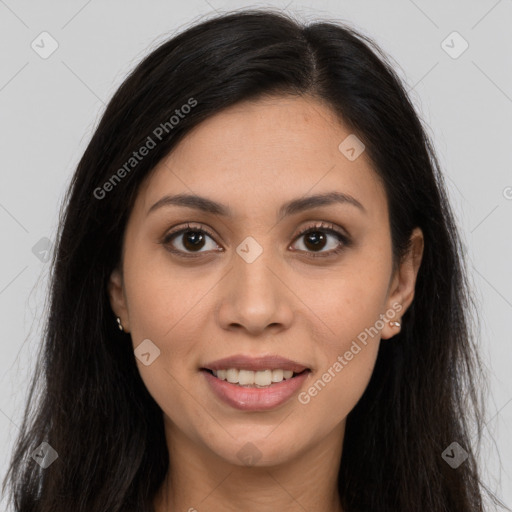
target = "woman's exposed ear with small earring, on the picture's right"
x: 403, y: 283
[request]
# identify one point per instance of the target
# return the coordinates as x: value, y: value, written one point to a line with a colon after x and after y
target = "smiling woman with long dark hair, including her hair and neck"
x: 259, y: 299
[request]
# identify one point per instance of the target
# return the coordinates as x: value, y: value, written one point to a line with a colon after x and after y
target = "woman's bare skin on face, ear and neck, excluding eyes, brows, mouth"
x: 253, y: 157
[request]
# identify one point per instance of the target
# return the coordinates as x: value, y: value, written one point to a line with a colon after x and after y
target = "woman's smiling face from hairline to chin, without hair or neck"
x: 249, y: 286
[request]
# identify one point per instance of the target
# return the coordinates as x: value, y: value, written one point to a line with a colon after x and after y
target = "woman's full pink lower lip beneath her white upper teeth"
x: 255, y: 399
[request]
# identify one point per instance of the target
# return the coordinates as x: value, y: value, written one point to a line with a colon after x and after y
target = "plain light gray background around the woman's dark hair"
x: 50, y: 107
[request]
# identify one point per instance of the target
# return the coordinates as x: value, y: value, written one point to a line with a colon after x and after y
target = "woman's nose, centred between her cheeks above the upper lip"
x: 255, y: 297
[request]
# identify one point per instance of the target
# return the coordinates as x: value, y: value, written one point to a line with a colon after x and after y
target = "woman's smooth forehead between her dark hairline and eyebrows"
x: 261, y: 153
